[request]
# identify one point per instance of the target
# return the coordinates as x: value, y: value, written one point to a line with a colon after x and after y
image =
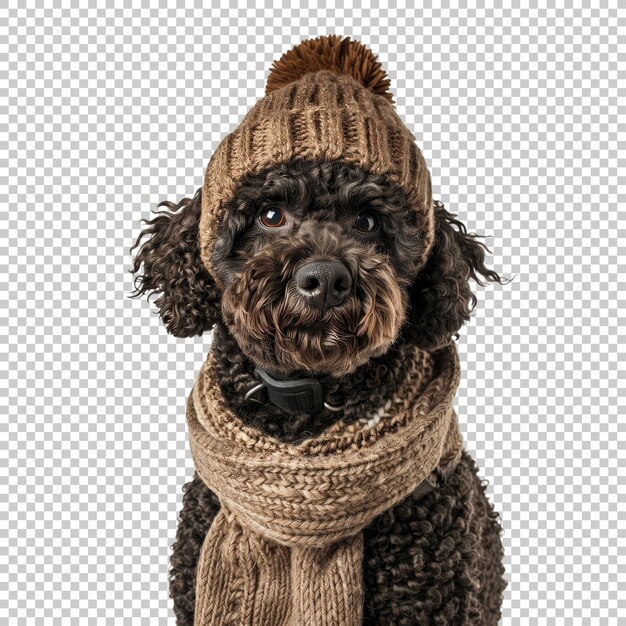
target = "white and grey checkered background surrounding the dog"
x: 107, y: 111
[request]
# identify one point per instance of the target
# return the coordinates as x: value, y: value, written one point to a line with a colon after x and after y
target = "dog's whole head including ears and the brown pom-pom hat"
x: 315, y: 237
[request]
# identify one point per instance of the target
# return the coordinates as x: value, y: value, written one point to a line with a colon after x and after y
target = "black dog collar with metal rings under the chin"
x: 300, y: 395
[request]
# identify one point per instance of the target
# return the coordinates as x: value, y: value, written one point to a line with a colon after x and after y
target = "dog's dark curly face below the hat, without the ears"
x: 316, y: 262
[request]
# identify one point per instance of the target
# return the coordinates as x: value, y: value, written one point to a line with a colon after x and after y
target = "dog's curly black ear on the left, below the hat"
x: 188, y: 298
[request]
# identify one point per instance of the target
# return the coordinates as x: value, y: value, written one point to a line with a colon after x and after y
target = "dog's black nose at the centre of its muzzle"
x: 324, y: 284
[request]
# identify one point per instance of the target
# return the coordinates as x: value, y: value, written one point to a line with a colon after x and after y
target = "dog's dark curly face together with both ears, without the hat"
x: 317, y: 263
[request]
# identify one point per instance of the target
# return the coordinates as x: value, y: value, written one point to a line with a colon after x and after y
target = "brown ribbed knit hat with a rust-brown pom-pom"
x: 327, y: 99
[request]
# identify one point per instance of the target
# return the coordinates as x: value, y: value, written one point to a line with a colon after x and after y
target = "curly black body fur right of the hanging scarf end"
x: 436, y: 560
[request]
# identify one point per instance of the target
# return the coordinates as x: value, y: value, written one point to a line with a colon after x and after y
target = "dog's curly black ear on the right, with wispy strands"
x: 441, y: 300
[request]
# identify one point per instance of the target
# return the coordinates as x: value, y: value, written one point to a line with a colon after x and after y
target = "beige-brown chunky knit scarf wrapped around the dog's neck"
x: 286, y: 547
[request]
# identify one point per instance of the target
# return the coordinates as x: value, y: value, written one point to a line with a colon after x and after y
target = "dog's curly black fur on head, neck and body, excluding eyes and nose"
x: 435, y: 560
